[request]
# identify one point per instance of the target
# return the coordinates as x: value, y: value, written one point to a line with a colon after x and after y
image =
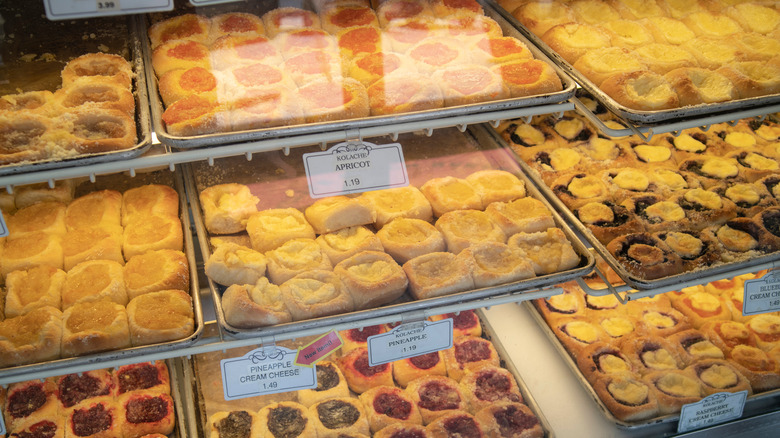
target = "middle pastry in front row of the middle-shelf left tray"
x: 94, y: 326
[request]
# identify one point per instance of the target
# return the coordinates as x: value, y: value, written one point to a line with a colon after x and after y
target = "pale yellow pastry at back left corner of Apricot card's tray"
x: 227, y: 207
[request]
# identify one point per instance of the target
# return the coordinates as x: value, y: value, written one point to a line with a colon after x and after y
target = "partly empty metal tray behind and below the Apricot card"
x: 447, y: 153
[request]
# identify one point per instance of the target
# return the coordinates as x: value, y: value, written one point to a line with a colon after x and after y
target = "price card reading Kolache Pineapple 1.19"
x: 409, y: 340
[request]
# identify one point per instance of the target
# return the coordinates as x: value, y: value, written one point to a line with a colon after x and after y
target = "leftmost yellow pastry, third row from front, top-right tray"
x: 572, y: 40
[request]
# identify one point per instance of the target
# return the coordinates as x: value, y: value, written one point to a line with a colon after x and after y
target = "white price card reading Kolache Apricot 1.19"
x: 355, y: 167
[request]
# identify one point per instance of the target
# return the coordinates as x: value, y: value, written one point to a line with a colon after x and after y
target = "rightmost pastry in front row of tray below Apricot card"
x: 549, y: 251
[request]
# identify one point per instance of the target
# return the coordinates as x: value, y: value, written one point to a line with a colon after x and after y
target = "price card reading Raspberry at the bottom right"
x: 711, y: 410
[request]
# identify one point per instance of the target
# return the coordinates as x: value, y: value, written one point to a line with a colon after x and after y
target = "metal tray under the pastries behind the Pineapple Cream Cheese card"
x: 203, y: 369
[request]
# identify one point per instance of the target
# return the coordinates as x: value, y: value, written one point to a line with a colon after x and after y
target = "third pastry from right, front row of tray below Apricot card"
x: 436, y: 274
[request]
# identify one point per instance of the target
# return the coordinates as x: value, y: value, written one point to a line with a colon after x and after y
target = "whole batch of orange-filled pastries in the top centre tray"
x: 239, y: 71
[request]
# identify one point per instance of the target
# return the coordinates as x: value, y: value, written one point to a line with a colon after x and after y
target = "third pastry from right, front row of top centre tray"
x: 404, y: 92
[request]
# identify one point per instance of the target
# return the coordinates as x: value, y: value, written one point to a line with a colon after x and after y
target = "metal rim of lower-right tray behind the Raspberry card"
x: 755, y: 404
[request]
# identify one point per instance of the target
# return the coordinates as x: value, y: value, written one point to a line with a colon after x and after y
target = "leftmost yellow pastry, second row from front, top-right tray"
x: 599, y: 64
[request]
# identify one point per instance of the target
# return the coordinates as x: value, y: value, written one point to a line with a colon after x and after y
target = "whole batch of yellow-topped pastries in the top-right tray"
x: 651, y: 56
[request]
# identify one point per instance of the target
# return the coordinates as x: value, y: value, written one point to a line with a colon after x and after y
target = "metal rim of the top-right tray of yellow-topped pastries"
x: 643, y: 118
